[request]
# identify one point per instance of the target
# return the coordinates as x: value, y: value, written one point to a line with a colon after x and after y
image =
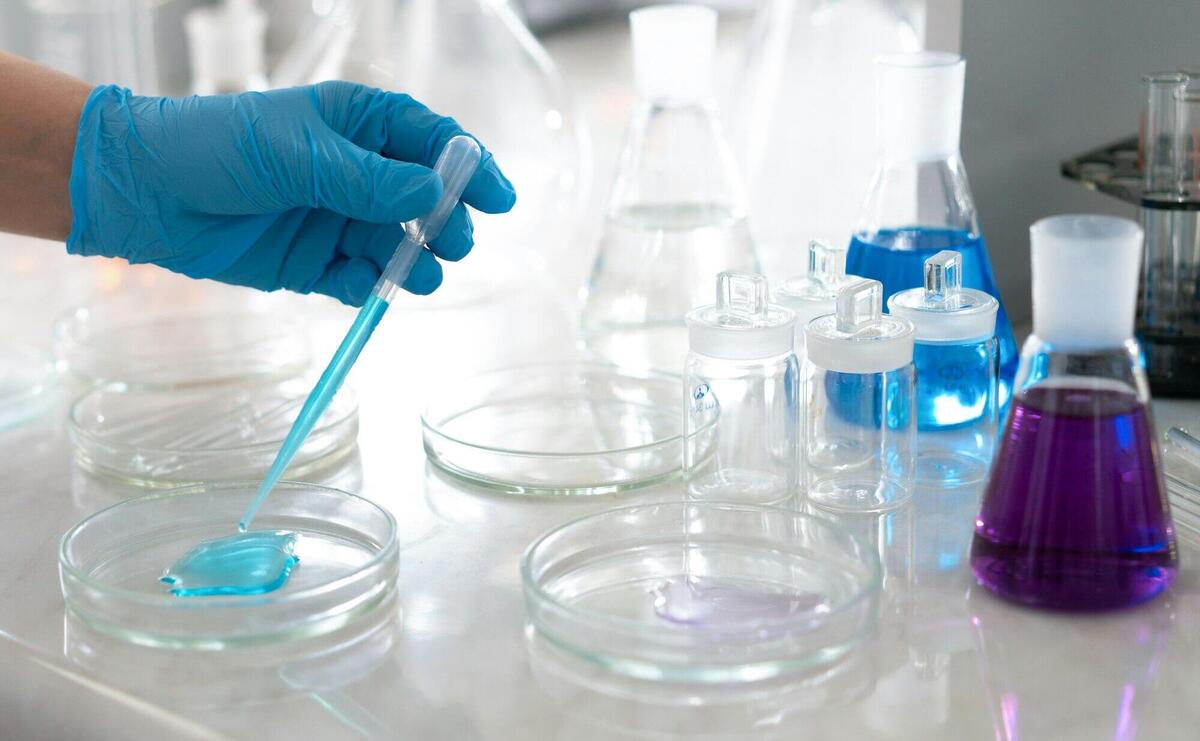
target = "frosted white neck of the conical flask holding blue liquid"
x: 920, y: 109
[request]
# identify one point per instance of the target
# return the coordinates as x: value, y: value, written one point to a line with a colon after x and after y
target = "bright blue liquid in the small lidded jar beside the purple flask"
x: 953, y: 384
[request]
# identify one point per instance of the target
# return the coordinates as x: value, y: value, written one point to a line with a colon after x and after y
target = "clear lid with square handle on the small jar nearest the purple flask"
x: 944, y: 311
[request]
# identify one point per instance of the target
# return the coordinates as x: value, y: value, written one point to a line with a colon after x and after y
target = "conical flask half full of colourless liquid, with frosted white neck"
x: 676, y: 215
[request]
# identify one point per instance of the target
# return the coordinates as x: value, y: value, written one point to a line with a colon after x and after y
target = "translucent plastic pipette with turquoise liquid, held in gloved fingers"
x: 455, y: 165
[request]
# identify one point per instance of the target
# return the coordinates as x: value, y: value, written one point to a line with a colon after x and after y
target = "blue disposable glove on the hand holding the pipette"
x: 304, y: 189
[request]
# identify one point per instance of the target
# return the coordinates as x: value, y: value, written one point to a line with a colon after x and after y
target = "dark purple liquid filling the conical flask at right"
x: 1076, y: 514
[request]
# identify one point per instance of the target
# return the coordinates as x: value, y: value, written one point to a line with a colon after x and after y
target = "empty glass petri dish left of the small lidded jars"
x: 569, y: 429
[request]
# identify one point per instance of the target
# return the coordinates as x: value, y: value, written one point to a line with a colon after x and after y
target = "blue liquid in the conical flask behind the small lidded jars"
x: 897, y: 258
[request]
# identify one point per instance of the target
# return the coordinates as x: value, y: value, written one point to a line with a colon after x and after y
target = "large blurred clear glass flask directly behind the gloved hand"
x: 477, y: 62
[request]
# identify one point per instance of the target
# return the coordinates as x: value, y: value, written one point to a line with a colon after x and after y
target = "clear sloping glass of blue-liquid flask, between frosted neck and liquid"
x: 907, y: 195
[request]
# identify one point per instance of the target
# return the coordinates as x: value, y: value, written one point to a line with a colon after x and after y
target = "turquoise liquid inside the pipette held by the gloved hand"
x: 320, y: 399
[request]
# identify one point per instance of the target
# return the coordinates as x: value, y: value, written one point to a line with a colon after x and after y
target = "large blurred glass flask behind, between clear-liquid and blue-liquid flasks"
x: 805, y: 113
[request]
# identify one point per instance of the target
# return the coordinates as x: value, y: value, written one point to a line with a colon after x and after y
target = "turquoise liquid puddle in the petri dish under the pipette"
x: 253, y: 563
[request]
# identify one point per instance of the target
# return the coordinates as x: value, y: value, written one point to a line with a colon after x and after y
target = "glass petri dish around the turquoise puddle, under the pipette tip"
x: 110, y: 567
